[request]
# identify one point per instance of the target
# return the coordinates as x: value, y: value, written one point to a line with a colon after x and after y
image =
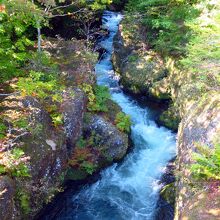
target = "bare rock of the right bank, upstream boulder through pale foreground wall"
x: 196, y: 116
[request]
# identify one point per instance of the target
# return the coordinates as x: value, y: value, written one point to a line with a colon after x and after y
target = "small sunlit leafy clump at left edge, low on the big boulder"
x: 14, y: 163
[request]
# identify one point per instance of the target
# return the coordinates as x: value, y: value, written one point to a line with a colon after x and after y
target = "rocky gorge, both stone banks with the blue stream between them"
x: 94, y: 142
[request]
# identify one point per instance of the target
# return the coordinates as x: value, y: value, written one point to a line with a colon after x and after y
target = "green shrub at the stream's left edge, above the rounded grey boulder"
x: 97, y: 97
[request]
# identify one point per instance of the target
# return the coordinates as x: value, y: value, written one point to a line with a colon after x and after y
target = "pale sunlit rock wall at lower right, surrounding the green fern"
x: 201, y: 124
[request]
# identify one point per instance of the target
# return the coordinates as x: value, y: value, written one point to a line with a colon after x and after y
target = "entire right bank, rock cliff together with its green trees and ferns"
x: 169, y: 50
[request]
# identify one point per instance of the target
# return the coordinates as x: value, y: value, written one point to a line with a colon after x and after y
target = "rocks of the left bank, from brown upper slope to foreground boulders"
x: 52, y: 153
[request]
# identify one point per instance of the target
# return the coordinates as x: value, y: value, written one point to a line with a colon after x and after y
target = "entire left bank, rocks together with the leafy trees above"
x: 42, y: 103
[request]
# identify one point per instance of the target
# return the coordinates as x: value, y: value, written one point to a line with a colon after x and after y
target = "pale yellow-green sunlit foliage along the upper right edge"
x: 203, y: 51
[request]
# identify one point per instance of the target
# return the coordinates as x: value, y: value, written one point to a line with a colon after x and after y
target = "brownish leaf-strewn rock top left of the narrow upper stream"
x: 75, y: 62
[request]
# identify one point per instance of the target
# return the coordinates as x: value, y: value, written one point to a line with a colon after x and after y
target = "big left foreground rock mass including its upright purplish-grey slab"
x: 46, y: 146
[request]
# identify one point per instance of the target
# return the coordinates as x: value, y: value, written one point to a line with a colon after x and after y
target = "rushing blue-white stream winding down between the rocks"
x: 126, y: 191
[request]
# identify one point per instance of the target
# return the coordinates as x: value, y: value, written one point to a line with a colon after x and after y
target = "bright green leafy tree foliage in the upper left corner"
x: 15, y: 37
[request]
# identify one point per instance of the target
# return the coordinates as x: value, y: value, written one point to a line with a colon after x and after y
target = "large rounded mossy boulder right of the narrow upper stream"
x: 139, y: 69
